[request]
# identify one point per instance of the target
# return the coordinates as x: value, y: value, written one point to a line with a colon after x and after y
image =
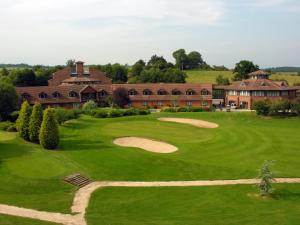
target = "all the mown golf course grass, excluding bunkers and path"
x: 32, y: 177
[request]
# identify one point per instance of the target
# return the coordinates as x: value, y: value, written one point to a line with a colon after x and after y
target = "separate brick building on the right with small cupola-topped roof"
x: 259, y: 87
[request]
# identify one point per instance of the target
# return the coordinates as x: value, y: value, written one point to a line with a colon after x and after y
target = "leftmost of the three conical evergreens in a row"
x: 22, y: 123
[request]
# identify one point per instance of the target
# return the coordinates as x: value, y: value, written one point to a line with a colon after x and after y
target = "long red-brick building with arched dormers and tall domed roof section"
x: 72, y: 87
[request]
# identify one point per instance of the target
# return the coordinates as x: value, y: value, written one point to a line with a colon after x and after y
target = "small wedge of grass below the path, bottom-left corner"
x: 12, y: 220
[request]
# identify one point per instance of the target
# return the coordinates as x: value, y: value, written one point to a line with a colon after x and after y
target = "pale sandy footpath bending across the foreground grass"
x: 82, y: 197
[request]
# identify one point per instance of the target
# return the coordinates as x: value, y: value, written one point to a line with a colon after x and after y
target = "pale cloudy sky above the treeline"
x: 107, y: 31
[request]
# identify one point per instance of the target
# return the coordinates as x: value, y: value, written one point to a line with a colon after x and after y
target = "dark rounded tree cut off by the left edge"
x: 8, y: 99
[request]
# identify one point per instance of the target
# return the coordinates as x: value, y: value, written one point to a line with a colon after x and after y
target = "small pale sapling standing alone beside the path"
x: 266, y: 179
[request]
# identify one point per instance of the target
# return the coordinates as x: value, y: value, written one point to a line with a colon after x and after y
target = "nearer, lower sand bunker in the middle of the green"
x: 146, y: 144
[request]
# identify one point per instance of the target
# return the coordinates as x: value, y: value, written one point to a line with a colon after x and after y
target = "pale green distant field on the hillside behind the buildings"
x: 200, y: 76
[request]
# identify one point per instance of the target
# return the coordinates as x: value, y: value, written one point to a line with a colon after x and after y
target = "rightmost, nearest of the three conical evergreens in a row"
x: 49, y: 136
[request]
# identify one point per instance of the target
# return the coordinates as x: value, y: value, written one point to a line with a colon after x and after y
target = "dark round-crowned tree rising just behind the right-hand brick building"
x: 243, y: 68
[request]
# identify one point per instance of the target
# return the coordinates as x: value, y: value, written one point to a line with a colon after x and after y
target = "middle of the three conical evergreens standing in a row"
x: 35, y: 122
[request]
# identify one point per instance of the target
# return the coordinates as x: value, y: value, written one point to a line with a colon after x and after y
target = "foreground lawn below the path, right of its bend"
x: 228, y: 205
